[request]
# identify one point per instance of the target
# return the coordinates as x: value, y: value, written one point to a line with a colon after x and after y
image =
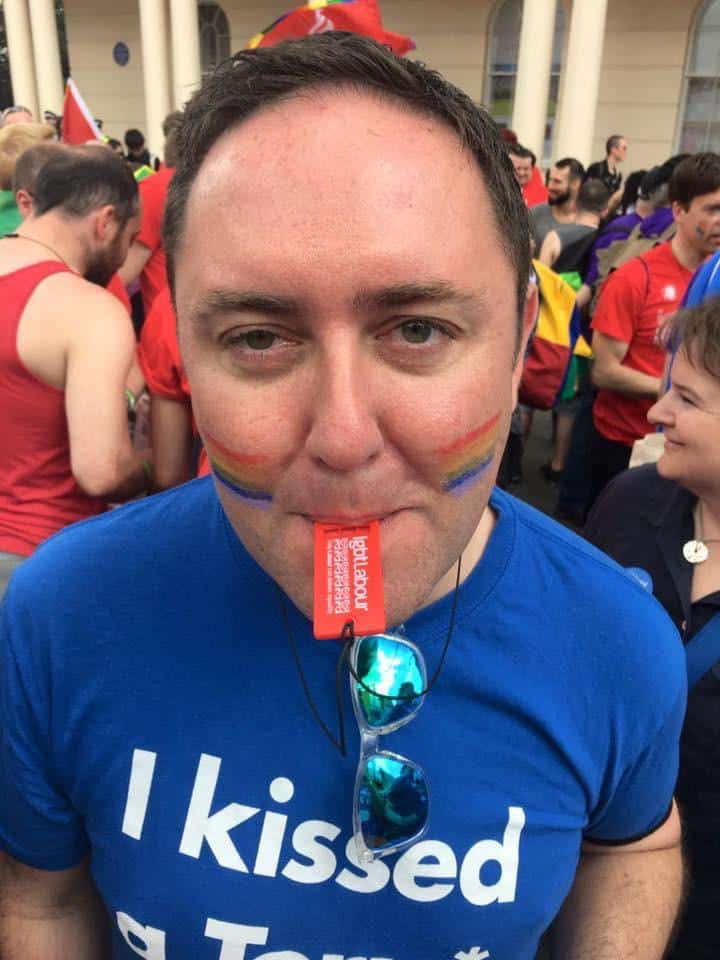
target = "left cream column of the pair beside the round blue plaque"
x: 156, y: 76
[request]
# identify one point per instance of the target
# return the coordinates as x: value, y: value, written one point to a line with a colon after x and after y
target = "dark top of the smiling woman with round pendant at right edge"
x: 643, y: 520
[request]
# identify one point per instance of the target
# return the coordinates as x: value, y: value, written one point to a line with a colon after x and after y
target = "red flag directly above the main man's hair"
x: 320, y: 16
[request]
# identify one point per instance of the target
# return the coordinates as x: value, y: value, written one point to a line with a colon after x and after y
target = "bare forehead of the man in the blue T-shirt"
x: 337, y: 187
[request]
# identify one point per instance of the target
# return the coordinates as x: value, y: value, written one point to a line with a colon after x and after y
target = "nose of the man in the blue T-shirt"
x: 344, y: 433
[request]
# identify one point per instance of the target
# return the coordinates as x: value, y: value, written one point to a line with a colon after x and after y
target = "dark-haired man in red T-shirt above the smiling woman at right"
x: 634, y: 302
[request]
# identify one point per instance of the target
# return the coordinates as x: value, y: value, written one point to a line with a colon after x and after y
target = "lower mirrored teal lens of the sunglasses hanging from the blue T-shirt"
x: 392, y: 801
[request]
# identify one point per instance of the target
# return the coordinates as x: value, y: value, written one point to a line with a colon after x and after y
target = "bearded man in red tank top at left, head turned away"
x: 66, y: 347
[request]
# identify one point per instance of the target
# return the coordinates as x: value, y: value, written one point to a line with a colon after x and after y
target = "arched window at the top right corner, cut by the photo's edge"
x: 700, y: 128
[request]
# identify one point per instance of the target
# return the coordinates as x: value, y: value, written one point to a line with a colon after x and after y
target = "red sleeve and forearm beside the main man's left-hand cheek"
x: 173, y: 436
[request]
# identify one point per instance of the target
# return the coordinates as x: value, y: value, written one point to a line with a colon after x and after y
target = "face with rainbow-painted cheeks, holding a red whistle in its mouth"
x: 347, y: 320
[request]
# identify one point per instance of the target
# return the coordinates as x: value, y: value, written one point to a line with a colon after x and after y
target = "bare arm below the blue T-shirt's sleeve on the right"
x: 625, y: 899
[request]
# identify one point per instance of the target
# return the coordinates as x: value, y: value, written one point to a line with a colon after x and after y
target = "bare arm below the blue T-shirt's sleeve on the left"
x: 51, y: 915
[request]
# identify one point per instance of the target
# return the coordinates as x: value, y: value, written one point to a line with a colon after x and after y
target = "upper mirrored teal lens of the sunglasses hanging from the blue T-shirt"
x: 391, y: 667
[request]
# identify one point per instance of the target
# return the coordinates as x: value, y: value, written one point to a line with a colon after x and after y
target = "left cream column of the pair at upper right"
x: 533, y: 77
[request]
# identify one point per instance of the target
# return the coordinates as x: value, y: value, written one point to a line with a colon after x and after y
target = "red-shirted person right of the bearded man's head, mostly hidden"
x: 146, y: 258
